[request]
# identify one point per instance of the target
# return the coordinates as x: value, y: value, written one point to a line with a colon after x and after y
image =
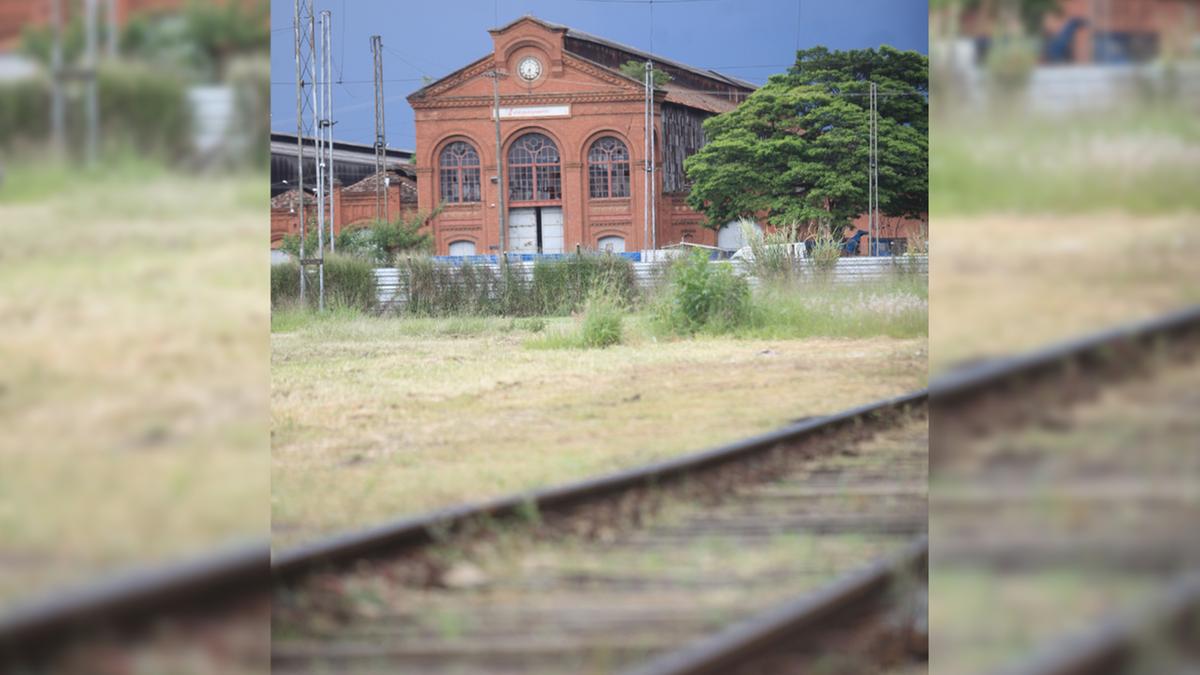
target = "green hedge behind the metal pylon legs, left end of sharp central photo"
x: 350, y: 283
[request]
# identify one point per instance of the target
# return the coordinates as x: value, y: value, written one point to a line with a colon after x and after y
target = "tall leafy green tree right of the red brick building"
x: 799, y: 148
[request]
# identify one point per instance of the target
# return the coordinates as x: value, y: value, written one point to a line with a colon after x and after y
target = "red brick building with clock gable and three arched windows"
x: 572, y: 128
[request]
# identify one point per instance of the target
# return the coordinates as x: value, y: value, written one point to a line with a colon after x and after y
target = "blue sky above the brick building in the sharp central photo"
x: 746, y: 39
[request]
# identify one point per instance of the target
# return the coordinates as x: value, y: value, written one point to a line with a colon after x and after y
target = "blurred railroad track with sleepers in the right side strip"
x: 1064, y: 507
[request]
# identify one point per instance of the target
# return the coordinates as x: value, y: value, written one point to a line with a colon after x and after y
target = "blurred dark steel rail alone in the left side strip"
x: 33, y: 630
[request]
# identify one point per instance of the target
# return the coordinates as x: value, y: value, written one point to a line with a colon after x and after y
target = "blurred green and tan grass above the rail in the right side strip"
x: 1048, y: 228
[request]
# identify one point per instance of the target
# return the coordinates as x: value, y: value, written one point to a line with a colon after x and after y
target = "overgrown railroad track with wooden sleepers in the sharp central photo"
x: 607, y: 575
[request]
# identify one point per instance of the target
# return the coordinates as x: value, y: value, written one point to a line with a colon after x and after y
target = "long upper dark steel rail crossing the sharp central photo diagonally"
x: 413, y: 533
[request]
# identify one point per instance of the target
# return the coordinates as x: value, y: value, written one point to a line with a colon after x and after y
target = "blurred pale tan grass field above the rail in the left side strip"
x: 134, y: 368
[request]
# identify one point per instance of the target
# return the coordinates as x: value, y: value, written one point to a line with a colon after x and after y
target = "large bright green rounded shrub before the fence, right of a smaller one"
x: 704, y: 296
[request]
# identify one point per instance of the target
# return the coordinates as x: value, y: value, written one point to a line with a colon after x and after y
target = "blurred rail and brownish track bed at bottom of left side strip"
x: 200, y: 616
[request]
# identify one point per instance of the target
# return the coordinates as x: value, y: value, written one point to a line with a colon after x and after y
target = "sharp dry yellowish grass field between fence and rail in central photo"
x: 374, y: 421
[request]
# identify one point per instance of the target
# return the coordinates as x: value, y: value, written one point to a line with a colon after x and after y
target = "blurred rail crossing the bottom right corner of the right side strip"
x: 1112, y: 647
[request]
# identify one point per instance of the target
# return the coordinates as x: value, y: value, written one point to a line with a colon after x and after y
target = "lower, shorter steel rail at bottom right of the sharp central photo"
x: 787, y: 624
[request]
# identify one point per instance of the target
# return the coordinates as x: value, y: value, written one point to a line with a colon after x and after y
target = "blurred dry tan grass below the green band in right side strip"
x: 1006, y: 284
